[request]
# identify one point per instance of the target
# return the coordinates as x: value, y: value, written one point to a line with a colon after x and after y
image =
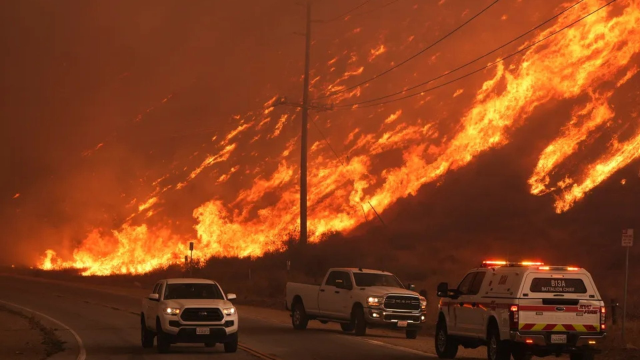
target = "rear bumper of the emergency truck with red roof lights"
x: 542, y: 340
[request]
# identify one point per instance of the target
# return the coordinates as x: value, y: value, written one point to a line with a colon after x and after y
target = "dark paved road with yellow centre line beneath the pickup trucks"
x: 108, y: 326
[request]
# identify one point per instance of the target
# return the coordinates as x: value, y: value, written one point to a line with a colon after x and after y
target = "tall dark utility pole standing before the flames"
x: 305, y: 128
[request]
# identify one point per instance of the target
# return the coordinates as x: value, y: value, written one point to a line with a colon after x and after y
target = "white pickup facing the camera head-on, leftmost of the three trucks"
x: 188, y: 311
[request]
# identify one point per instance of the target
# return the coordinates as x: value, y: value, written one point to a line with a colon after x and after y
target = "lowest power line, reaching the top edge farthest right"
x: 472, y: 72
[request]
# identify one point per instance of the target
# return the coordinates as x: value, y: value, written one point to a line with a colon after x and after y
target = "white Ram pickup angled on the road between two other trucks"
x: 357, y: 299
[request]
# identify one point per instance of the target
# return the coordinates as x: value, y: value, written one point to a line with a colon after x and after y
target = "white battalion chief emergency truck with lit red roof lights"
x: 522, y: 310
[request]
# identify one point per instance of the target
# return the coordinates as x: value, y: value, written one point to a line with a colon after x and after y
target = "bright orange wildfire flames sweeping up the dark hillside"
x: 594, y: 57
